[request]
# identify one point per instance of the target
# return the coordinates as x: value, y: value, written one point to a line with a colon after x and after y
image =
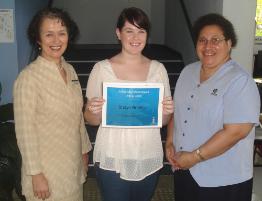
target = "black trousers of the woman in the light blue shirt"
x: 186, y: 189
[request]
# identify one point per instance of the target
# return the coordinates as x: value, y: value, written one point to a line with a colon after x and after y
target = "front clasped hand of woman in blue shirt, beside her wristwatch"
x: 186, y: 160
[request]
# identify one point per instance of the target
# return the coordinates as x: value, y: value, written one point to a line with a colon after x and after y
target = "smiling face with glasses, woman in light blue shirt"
x: 212, y: 48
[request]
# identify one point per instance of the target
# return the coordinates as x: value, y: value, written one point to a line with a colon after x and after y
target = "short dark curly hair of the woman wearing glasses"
x: 218, y: 20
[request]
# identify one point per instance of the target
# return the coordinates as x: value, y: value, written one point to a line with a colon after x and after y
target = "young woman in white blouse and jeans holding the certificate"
x: 127, y: 160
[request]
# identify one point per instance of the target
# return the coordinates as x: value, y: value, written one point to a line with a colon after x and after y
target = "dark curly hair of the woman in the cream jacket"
x: 33, y: 31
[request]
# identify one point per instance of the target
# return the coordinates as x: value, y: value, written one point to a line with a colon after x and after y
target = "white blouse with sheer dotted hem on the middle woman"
x: 134, y: 153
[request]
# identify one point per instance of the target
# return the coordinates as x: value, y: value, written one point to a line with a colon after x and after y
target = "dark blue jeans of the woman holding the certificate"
x: 113, y: 188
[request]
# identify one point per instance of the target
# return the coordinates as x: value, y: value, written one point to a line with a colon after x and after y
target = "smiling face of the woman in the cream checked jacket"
x: 53, y: 39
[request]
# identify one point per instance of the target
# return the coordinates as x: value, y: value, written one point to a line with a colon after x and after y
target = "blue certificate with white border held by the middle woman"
x: 132, y: 105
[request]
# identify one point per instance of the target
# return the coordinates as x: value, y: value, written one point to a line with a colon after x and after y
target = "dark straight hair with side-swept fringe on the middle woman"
x: 134, y: 16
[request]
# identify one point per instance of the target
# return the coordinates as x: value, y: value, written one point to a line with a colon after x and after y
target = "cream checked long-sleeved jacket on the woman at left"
x: 50, y: 128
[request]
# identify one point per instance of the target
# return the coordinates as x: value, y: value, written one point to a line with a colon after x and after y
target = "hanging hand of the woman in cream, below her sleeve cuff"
x: 40, y: 186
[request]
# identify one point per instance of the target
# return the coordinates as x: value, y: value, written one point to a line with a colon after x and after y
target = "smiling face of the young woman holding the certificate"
x: 133, y: 39
